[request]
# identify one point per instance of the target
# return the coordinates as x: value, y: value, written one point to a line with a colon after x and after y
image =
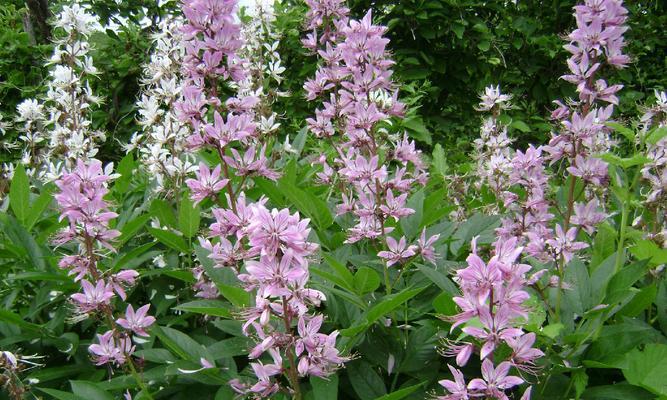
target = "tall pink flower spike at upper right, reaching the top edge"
x: 597, y: 40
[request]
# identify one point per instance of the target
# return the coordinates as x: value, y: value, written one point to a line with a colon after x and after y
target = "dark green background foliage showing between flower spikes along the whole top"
x: 446, y: 51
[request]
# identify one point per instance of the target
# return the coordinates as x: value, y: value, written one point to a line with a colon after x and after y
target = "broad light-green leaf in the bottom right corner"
x: 648, y: 368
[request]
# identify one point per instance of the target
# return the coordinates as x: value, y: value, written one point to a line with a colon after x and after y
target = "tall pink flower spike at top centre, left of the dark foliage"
x: 355, y: 81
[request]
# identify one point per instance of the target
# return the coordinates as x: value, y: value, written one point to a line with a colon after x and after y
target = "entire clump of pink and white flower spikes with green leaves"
x: 276, y: 230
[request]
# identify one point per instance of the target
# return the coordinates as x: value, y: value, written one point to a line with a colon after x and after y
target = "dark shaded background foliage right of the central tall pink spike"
x: 452, y: 49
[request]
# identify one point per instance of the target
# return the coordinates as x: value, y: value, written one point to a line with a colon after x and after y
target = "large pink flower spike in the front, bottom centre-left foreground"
x: 269, y: 251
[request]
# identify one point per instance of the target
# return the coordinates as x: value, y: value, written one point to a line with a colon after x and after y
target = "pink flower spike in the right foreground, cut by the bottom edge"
x: 493, y: 292
